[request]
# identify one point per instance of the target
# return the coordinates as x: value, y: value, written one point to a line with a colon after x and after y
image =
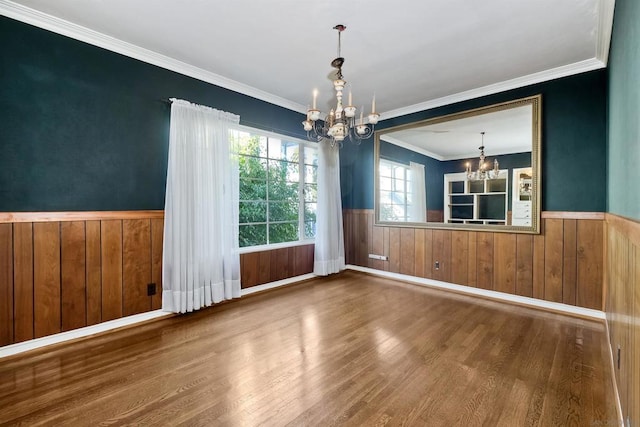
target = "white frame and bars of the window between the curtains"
x: 302, y: 240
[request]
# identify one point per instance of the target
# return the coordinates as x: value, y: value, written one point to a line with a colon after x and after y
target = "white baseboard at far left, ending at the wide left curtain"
x: 21, y: 347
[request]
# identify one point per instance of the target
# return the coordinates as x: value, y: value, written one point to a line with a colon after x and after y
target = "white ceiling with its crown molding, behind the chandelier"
x: 413, y: 54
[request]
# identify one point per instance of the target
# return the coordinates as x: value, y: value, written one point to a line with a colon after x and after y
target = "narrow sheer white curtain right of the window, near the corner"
x: 329, y: 248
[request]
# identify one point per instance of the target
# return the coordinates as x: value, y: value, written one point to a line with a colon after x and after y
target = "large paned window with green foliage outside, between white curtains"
x: 278, y: 189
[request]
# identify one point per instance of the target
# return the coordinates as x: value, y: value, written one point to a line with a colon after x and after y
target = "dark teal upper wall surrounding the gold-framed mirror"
x: 574, y: 135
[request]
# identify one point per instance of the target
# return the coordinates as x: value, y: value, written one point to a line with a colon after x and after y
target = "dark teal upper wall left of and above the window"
x: 83, y: 128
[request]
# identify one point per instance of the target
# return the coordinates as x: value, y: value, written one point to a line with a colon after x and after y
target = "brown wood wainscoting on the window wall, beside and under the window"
x: 65, y: 270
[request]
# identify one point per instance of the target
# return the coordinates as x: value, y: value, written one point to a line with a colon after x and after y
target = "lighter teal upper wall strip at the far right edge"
x: 624, y: 111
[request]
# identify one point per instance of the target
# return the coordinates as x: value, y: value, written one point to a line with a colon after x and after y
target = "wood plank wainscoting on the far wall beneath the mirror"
x: 564, y: 263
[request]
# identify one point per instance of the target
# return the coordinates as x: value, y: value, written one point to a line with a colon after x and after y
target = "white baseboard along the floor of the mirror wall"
x: 500, y: 296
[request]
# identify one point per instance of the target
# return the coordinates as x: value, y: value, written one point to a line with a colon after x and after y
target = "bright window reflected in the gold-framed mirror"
x: 395, y: 191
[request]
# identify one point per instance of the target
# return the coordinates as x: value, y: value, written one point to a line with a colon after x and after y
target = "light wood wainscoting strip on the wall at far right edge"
x: 623, y: 310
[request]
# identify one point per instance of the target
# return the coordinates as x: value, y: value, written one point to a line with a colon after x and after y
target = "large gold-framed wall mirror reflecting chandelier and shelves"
x: 474, y: 170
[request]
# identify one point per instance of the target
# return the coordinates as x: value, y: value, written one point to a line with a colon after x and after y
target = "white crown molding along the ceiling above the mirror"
x: 554, y: 73
